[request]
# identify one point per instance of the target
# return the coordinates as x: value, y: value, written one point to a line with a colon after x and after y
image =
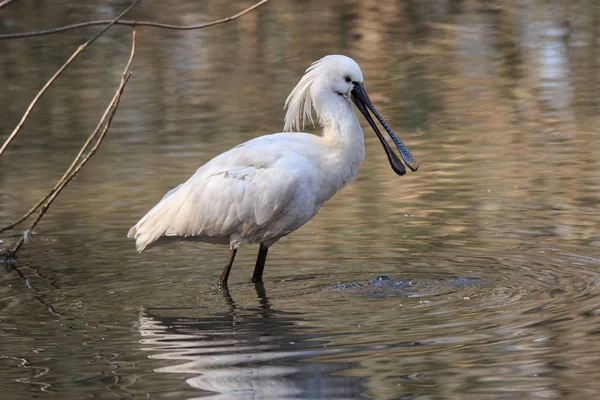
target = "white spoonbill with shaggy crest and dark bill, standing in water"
x: 266, y: 188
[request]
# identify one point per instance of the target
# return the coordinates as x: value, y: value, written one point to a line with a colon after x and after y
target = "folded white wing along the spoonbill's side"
x: 217, y: 203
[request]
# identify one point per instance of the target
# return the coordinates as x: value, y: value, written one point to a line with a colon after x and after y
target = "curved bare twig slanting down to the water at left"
x: 104, y: 124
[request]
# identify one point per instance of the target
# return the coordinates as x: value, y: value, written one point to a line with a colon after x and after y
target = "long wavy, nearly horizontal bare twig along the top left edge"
x: 131, y: 23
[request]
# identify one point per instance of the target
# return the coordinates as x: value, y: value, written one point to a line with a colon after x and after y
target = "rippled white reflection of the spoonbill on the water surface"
x: 247, y: 352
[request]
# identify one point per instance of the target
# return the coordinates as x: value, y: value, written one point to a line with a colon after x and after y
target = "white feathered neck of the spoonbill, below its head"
x: 343, y: 137
